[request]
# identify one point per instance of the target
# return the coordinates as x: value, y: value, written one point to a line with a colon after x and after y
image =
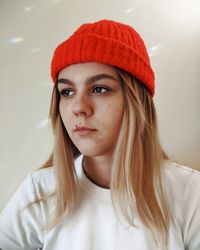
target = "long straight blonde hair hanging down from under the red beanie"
x: 136, y: 183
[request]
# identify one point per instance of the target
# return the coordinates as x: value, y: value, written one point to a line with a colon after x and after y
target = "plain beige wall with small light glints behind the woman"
x: 29, y: 32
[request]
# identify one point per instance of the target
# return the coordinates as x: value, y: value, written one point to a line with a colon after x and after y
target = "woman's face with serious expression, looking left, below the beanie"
x: 91, y: 106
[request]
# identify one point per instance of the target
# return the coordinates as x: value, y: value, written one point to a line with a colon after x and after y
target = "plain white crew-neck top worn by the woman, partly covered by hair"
x: 93, y: 224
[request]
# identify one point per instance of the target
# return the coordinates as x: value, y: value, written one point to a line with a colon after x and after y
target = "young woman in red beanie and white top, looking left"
x: 108, y: 183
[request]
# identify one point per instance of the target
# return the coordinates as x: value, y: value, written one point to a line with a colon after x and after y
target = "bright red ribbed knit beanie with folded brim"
x: 108, y: 42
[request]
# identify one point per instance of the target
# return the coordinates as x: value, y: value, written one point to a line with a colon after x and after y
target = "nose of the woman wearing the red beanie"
x: 82, y: 106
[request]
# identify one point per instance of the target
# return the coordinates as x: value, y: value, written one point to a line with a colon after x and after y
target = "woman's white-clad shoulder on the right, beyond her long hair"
x: 182, y: 186
